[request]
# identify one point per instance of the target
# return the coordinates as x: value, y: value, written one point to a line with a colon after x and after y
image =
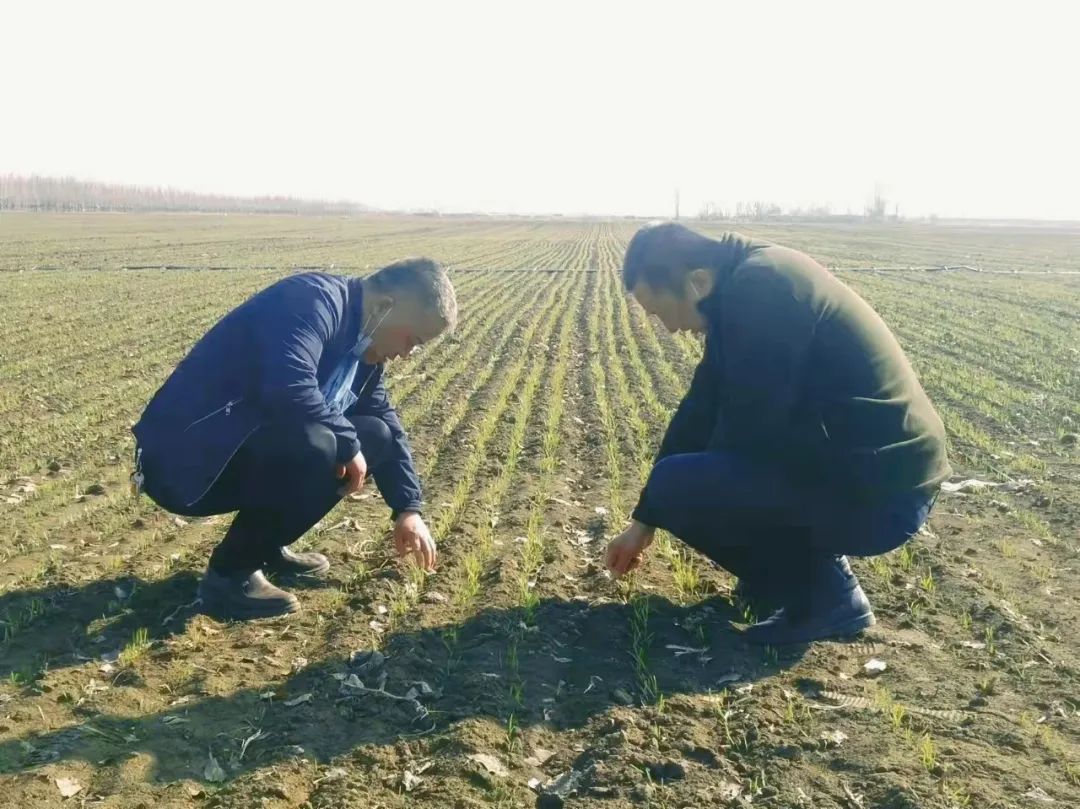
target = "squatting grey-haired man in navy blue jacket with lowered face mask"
x: 279, y: 412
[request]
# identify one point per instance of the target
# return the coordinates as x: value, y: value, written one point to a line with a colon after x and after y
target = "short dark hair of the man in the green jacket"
x: 661, y: 255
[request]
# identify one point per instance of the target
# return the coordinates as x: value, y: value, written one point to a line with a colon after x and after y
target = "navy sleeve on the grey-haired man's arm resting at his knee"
x: 290, y: 336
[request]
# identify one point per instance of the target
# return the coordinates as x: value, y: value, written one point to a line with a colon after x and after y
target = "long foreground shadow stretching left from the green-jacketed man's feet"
x: 572, y: 663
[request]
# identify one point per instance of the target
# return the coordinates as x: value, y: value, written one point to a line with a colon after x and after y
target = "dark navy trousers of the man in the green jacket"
x: 766, y: 529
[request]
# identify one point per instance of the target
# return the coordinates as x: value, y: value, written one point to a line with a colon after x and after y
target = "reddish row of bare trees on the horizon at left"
x: 69, y: 194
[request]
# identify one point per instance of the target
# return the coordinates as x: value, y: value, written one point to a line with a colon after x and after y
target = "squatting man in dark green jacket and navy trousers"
x: 805, y: 435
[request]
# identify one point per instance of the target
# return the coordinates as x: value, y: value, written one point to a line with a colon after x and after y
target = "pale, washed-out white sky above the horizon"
x: 573, y: 107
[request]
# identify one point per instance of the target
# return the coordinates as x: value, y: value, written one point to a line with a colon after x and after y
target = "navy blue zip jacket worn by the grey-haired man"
x: 263, y: 362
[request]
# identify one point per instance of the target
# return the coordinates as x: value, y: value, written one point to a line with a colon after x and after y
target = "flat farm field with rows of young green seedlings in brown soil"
x: 520, y: 672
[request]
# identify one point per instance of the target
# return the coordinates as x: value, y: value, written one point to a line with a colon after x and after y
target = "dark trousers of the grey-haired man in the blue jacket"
x: 280, y: 483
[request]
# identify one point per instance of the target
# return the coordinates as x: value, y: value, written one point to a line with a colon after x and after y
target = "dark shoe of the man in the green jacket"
x: 838, y: 608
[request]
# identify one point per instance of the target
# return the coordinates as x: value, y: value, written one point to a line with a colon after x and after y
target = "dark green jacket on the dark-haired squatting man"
x: 801, y: 371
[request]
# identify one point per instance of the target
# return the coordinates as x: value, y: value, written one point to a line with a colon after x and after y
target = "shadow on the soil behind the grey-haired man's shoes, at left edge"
x: 56, y: 626
